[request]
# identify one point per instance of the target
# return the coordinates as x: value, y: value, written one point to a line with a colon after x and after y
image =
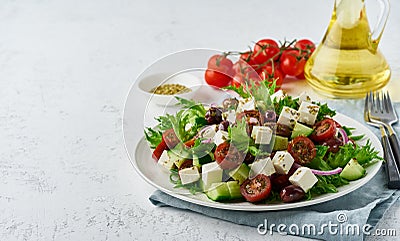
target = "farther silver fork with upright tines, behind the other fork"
x: 385, y: 113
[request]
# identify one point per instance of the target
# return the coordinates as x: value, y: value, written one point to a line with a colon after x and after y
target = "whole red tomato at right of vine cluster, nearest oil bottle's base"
x: 292, y: 63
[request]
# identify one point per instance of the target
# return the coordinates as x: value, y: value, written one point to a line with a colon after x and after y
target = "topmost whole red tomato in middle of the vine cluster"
x: 264, y: 50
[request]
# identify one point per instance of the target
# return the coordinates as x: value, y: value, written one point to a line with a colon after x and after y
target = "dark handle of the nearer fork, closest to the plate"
x: 392, y: 169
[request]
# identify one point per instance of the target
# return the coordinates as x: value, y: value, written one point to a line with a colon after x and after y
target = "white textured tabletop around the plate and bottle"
x: 65, y: 70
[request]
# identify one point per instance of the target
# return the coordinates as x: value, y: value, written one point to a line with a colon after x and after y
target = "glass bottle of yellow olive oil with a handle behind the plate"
x: 347, y: 63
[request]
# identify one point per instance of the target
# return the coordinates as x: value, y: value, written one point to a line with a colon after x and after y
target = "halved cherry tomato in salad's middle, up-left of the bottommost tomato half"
x: 227, y: 156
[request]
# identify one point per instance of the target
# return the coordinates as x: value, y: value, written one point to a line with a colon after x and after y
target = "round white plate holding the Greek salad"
x: 148, y: 169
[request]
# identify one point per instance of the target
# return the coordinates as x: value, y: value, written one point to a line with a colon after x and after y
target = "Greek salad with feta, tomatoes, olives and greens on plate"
x: 258, y: 146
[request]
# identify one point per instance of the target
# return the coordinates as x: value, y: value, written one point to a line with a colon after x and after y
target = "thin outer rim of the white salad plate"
x: 263, y: 207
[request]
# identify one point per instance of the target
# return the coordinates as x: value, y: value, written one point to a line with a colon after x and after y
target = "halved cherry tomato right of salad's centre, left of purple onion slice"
x: 302, y: 150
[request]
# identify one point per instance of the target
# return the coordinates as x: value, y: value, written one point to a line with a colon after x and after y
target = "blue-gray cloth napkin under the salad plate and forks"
x: 362, y: 208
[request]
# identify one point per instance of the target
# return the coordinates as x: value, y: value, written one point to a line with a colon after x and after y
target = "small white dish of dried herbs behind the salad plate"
x: 190, y: 80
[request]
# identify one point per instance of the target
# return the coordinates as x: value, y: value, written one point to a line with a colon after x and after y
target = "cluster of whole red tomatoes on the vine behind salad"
x: 266, y: 61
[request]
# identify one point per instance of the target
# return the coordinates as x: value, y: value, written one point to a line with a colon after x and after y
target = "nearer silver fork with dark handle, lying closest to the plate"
x: 392, y: 169
